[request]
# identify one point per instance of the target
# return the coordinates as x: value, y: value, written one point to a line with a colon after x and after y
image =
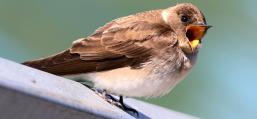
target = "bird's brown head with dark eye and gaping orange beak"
x: 189, y: 23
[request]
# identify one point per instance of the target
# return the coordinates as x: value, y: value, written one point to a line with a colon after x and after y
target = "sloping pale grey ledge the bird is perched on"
x: 28, y: 93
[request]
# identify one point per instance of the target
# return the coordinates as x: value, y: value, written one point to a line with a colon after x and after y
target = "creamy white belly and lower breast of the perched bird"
x: 151, y: 81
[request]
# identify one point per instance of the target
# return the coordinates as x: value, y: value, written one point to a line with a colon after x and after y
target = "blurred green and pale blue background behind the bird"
x: 223, y: 84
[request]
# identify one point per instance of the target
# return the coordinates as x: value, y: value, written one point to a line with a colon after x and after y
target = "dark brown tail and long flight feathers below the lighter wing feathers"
x: 66, y: 63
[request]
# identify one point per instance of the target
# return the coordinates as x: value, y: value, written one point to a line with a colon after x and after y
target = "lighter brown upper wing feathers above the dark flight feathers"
x: 127, y: 39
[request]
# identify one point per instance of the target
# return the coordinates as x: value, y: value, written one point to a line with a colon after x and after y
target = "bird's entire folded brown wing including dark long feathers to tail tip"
x: 113, y: 46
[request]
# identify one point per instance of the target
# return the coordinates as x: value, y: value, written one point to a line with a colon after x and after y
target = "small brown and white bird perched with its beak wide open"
x: 145, y: 54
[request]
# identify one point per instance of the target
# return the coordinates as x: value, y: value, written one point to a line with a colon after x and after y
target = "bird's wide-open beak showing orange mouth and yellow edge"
x: 195, y: 33
